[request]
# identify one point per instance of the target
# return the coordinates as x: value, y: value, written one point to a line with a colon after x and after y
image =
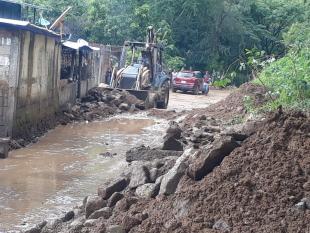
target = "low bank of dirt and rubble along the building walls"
x: 99, y: 103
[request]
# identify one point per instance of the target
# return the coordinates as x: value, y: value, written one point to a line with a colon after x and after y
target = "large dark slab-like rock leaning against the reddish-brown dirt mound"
x: 212, y: 158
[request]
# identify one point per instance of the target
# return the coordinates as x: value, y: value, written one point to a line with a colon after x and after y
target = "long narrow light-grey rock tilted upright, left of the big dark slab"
x: 171, y: 180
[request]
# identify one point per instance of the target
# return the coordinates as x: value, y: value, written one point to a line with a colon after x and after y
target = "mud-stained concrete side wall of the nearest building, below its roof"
x: 39, y: 71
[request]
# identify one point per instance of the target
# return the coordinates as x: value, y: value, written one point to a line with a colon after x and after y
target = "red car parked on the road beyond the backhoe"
x: 188, y: 81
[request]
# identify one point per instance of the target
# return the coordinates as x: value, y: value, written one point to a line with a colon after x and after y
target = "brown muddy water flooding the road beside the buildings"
x: 50, y: 177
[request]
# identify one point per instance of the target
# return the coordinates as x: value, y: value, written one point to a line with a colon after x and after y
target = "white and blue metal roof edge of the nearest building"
x: 26, y: 26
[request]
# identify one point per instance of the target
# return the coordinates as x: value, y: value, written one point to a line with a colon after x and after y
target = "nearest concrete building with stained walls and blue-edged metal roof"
x: 30, y: 59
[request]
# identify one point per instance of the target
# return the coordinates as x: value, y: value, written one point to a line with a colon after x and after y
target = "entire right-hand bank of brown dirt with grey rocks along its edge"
x: 208, y: 178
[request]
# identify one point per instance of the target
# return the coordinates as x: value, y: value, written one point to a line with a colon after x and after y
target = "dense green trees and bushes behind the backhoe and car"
x: 214, y: 35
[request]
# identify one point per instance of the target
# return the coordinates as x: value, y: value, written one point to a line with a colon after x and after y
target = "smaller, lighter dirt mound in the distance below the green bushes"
x: 234, y: 104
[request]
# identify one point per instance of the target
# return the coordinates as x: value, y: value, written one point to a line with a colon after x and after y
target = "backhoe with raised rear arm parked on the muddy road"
x: 141, y: 72
